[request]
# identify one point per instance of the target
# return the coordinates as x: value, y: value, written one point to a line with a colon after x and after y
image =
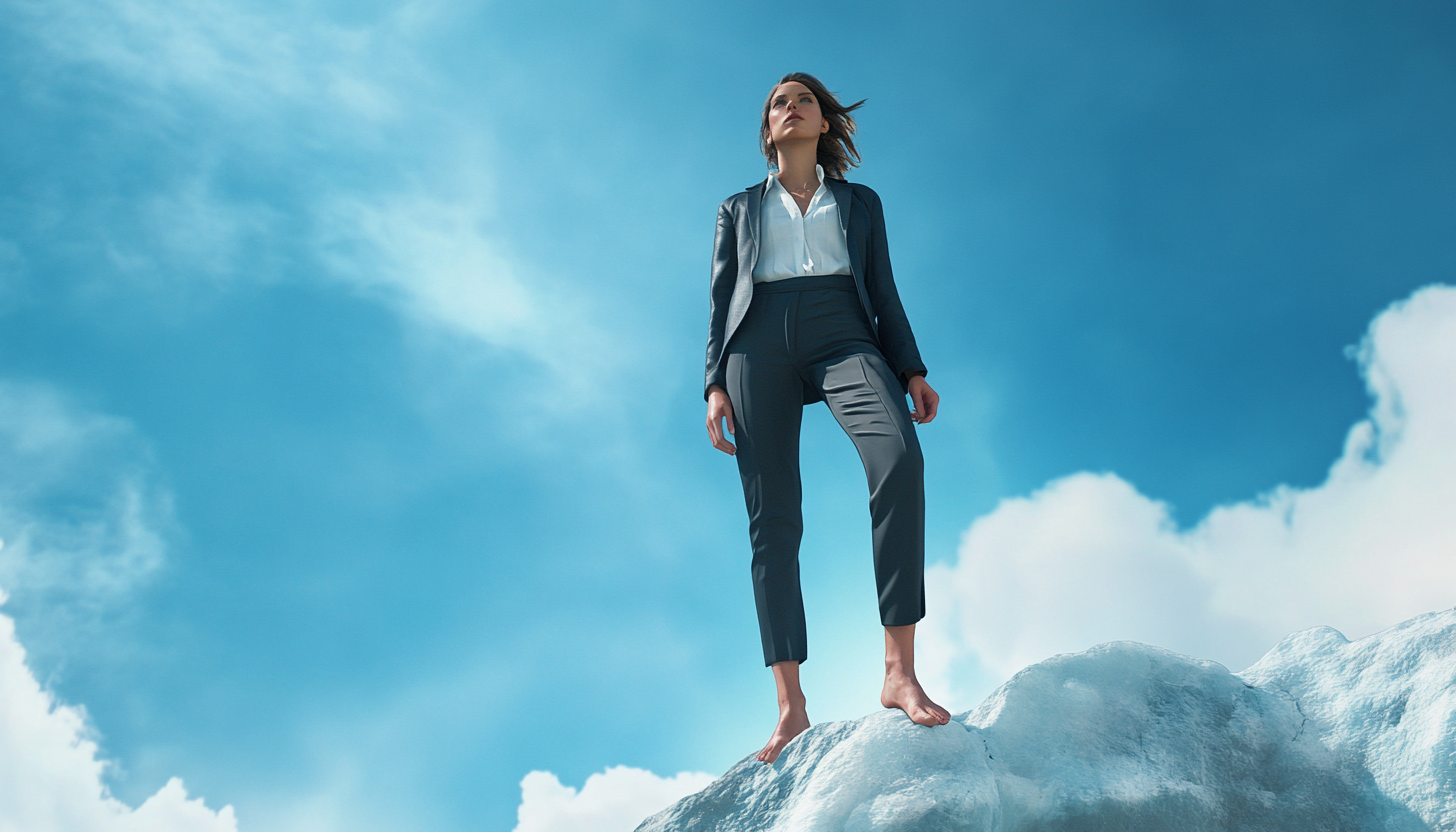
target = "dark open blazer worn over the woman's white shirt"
x: 736, y: 251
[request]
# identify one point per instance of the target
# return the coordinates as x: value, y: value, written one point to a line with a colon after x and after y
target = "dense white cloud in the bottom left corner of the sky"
x: 50, y: 774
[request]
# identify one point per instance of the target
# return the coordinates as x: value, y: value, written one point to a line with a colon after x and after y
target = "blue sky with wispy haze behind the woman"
x: 365, y: 346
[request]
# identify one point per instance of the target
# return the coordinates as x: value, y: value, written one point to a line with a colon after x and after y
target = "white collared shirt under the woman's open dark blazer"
x: 797, y: 246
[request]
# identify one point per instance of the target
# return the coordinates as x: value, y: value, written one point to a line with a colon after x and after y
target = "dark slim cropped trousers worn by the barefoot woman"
x: 810, y: 333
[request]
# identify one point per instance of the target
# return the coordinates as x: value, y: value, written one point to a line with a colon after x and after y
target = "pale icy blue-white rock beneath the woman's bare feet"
x: 1321, y: 735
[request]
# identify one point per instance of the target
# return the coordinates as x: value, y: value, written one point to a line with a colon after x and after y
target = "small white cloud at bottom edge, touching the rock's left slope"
x: 615, y: 801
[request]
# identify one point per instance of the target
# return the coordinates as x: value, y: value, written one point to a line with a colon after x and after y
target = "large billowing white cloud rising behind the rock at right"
x: 1088, y: 559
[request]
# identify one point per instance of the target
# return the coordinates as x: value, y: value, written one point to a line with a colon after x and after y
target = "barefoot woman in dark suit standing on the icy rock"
x: 804, y: 310
